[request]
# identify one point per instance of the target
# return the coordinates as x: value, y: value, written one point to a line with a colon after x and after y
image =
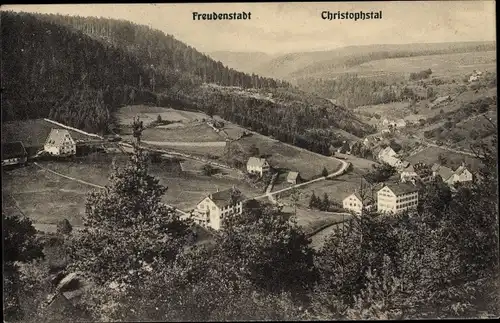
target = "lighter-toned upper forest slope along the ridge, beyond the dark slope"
x: 157, y: 51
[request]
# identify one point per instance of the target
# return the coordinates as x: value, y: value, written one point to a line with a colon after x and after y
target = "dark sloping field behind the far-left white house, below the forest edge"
x: 33, y: 132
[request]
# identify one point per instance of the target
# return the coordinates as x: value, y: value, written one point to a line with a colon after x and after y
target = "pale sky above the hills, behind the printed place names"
x: 277, y: 28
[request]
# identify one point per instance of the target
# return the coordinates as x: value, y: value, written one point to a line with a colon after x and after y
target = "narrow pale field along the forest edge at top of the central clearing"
x: 148, y: 114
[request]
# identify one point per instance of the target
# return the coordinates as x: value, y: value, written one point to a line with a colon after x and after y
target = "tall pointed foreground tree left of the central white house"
x: 128, y: 231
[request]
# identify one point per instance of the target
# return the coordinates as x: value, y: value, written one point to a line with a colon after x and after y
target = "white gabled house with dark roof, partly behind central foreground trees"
x: 216, y: 206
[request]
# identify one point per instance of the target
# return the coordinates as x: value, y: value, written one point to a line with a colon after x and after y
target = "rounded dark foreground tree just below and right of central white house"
x: 271, y: 250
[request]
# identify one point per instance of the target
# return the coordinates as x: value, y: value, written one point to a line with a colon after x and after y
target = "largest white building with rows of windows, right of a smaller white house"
x: 397, y: 197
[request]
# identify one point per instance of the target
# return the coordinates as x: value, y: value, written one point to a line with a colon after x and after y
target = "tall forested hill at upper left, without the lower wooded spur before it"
x: 45, y: 65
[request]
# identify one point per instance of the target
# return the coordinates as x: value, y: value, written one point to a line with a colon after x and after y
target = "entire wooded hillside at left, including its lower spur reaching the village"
x: 79, y: 71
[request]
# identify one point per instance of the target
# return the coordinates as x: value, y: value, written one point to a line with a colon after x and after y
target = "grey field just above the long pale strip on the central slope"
x: 190, y: 133
